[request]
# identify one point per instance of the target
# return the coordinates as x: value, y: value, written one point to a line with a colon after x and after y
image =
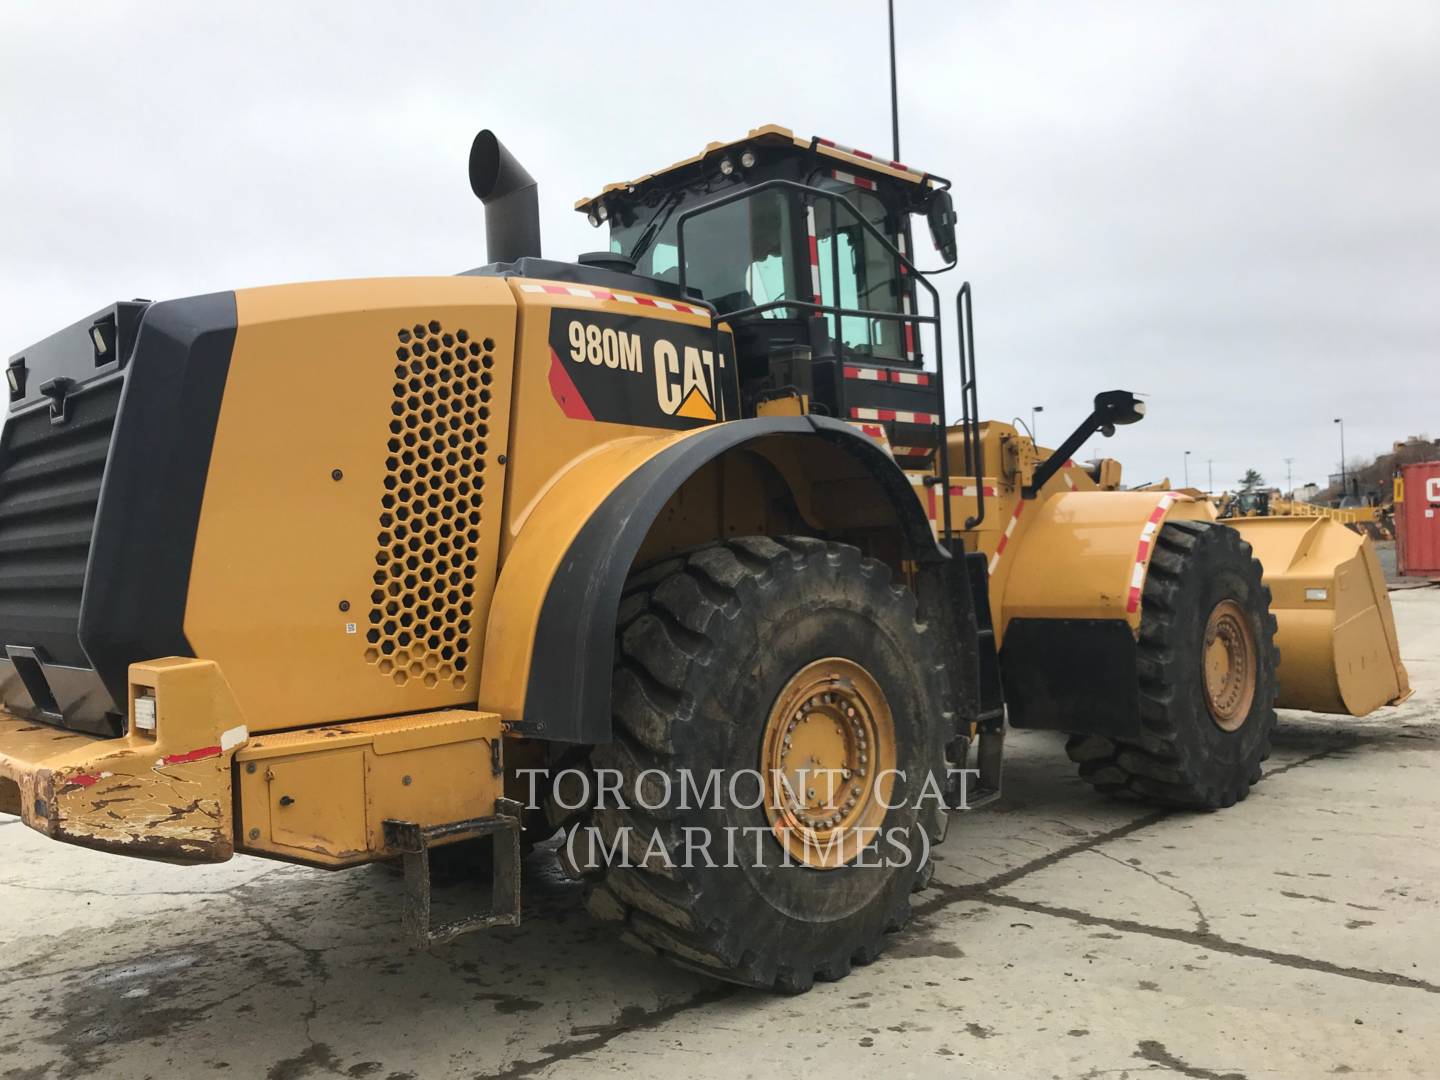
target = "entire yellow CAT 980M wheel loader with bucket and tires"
x: 670, y: 555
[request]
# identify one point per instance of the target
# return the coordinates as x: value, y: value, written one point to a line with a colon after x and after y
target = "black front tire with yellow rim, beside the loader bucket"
x: 1207, y: 663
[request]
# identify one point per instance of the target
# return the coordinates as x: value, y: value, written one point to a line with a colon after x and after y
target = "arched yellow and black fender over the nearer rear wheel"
x: 549, y: 643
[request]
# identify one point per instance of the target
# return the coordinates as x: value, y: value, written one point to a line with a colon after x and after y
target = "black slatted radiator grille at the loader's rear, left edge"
x: 50, y: 489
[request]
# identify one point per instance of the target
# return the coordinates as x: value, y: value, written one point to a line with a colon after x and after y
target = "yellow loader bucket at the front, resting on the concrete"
x: 1337, y: 633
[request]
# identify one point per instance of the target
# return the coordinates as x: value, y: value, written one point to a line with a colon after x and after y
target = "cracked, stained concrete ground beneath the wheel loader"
x: 1068, y: 937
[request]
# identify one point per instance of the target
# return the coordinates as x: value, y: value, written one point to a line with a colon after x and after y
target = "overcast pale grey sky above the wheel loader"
x: 1233, y: 208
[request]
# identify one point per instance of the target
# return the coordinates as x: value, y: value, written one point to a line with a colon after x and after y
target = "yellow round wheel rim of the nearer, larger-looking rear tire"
x: 830, y: 735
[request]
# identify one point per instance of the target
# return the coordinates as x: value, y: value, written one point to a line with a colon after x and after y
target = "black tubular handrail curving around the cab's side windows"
x: 944, y: 459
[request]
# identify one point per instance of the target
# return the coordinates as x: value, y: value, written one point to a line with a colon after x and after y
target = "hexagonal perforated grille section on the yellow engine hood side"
x: 424, y: 597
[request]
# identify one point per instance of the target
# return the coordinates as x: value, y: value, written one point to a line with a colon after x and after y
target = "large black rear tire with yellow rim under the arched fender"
x: 734, y: 657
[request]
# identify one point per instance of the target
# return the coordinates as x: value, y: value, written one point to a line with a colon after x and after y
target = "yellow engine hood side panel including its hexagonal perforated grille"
x: 332, y: 438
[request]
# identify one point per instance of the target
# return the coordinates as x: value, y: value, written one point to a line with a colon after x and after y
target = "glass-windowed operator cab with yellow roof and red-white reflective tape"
x: 800, y: 246
